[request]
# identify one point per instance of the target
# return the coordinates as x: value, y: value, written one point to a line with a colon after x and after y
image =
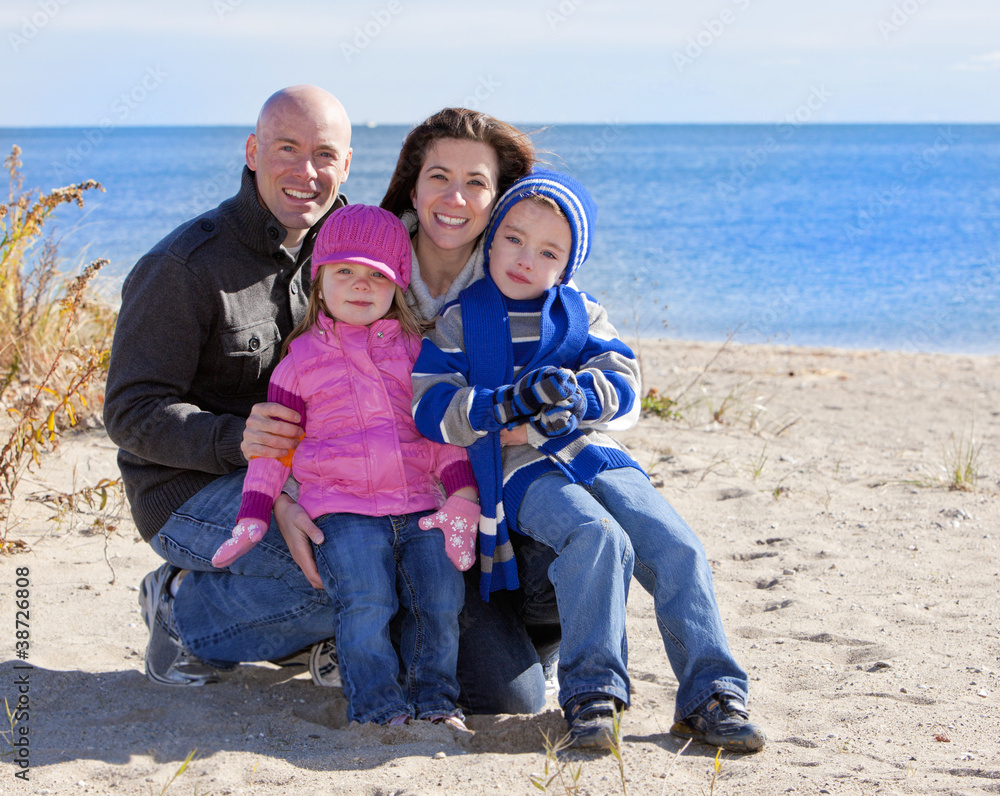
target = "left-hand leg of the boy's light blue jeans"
x: 591, y: 575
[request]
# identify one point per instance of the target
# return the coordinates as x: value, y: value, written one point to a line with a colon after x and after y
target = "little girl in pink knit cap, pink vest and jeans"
x: 368, y: 478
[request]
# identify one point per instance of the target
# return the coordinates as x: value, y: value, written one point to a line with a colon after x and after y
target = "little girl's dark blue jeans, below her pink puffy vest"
x: 364, y: 563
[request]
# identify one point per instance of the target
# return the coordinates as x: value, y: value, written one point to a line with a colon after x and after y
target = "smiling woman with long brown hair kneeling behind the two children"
x: 451, y: 170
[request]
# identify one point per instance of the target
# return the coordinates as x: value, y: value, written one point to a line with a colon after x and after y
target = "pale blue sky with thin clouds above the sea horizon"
x: 146, y: 62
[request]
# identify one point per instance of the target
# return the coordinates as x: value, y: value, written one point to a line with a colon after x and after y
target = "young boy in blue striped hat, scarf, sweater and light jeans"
x: 524, y: 353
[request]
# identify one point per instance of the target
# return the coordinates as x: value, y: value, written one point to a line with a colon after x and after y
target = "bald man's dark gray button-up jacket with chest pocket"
x: 200, y: 328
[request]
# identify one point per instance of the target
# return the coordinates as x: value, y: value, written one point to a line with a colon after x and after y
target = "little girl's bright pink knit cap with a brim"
x: 365, y: 235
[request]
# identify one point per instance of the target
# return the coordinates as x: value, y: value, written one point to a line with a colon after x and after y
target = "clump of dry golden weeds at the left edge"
x: 54, y: 338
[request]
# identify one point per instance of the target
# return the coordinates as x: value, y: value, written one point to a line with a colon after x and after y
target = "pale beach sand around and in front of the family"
x: 857, y: 588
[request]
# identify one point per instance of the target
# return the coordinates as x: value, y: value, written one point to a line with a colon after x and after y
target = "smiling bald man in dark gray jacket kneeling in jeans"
x: 202, y: 319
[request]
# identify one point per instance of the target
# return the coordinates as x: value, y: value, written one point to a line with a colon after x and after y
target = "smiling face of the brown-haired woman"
x: 454, y: 195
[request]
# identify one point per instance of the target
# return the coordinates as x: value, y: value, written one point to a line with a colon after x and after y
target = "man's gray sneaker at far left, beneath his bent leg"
x: 167, y: 661
